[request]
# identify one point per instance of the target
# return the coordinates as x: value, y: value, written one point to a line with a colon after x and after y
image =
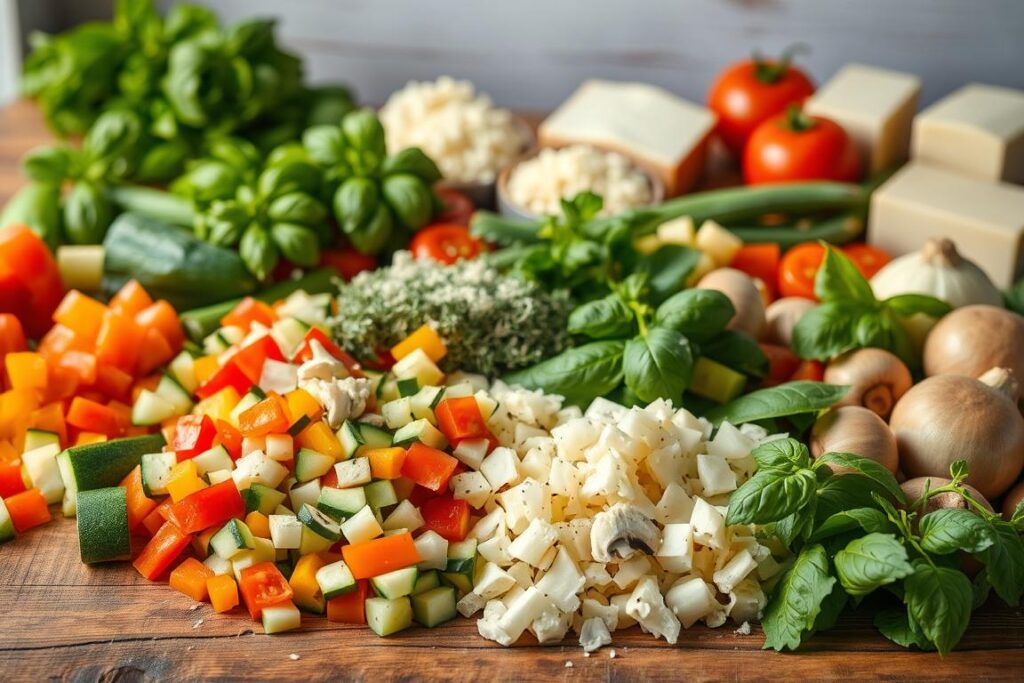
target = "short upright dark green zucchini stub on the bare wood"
x: 103, y: 525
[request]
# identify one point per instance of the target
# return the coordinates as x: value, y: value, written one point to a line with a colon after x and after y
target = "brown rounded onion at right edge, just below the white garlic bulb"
x: 972, y: 339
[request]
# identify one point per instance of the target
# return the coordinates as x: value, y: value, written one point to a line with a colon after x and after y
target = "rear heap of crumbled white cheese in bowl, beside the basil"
x: 470, y: 139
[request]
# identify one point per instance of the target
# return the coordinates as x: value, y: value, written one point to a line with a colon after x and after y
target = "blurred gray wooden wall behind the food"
x: 531, y: 54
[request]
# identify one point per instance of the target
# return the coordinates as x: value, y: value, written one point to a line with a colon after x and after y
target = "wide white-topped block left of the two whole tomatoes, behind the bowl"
x: 660, y: 132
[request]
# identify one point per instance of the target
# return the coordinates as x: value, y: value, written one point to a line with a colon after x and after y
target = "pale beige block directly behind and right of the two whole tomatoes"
x: 876, y: 107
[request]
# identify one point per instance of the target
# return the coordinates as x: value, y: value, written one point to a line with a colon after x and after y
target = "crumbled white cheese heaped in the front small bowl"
x: 536, y: 186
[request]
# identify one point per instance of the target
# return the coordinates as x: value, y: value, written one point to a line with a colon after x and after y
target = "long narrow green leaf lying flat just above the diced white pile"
x: 779, y: 402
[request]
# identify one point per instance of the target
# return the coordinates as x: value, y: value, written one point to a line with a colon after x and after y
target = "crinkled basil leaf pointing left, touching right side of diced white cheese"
x: 771, y: 496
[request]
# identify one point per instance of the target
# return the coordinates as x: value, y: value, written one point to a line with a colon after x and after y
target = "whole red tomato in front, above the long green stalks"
x: 795, y: 146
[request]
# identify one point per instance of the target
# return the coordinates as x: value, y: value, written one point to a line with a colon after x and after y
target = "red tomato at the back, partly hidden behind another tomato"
x: 749, y: 93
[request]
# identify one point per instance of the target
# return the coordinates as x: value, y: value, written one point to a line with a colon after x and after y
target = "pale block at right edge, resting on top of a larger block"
x: 977, y: 131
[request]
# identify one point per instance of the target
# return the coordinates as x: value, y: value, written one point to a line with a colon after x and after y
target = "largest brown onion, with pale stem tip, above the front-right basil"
x: 950, y: 418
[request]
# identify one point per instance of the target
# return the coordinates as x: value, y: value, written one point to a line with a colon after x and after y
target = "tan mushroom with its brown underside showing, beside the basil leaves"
x: 877, y: 378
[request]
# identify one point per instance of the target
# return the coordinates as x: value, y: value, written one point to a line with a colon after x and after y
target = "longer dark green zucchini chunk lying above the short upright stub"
x: 102, y: 465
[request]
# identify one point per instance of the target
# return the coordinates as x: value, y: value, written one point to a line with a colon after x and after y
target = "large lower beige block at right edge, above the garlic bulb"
x: 986, y: 220
